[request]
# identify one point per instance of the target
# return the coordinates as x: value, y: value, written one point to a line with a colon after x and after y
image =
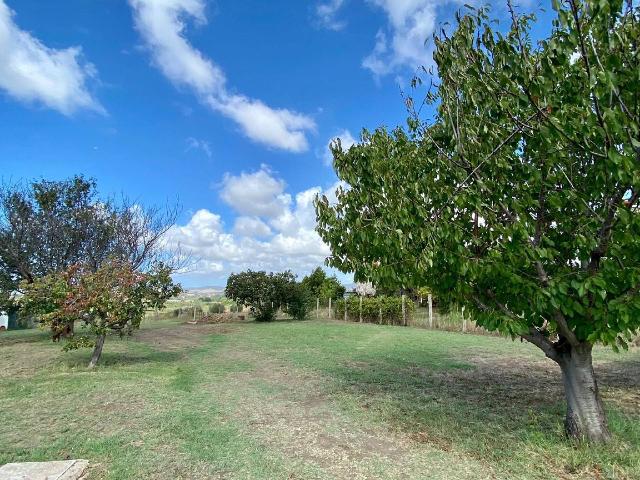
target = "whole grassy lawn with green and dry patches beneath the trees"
x: 307, y: 400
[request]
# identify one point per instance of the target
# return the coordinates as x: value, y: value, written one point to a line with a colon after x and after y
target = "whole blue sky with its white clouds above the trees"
x: 226, y: 107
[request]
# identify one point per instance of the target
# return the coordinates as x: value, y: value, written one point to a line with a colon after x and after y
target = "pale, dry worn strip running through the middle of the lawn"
x: 297, y: 418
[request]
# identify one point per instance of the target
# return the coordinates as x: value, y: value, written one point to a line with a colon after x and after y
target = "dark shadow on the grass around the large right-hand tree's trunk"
x: 503, y: 409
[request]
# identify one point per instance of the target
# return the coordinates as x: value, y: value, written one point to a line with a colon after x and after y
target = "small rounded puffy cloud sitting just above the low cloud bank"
x: 255, y: 194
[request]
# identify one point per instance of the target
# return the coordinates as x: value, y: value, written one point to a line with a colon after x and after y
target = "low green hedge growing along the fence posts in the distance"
x: 391, y: 308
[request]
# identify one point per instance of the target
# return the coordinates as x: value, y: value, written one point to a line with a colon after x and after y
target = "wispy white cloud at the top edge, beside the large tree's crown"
x: 411, y: 23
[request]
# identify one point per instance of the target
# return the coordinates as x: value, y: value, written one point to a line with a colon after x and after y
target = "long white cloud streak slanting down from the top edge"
x: 161, y: 23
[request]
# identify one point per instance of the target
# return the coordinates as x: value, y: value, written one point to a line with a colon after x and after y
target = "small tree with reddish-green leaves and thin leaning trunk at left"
x: 114, y: 298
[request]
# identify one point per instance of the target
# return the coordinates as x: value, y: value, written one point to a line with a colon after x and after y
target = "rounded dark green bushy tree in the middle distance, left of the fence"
x: 265, y: 293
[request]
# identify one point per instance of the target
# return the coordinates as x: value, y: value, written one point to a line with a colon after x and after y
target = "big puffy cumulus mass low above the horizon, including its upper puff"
x: 276, y: 239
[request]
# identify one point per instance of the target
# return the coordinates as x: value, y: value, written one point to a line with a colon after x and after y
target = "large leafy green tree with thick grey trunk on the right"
x: 519, y: 196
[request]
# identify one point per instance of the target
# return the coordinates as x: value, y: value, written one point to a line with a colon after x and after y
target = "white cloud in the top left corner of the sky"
x: 32, y: 72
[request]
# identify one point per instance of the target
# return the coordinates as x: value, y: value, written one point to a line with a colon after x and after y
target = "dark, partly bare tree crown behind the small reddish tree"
x: 48, y: 226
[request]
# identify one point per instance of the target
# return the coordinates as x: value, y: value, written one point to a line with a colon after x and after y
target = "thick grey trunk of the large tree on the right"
x: 585, y: 418
